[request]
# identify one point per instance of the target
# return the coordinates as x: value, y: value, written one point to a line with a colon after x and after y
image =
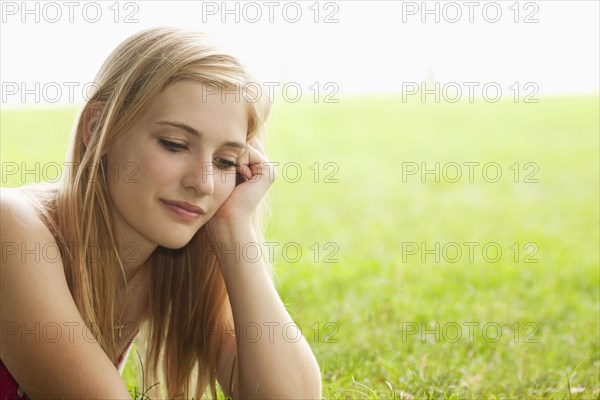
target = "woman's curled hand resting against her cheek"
x: 239, y: 207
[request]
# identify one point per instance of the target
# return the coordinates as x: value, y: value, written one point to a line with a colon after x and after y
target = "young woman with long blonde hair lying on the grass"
x: 151, y: 233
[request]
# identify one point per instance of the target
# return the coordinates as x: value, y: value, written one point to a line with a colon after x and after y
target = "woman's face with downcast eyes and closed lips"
x: 170, y: 173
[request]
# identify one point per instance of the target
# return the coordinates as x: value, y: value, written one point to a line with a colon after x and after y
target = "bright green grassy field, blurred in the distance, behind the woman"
x: 382, y: 314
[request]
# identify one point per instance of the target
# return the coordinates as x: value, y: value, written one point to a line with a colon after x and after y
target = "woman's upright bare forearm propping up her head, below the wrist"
x: 275, y: 361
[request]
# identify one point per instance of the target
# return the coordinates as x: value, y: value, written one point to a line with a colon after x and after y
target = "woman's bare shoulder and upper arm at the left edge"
x: 45, y: 344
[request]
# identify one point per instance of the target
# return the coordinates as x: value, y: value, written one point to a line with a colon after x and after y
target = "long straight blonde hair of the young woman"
x: 183, y: 338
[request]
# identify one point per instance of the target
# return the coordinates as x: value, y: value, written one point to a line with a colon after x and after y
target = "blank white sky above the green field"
x: 49, y: 51
